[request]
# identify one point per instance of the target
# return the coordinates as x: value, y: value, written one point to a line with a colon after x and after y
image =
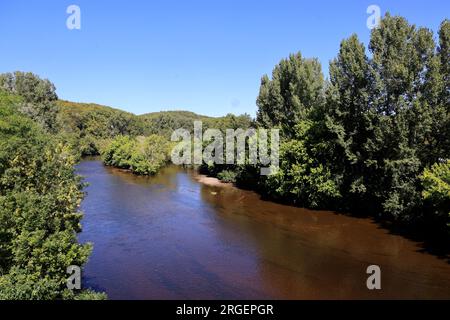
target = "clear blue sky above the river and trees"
x: 203, y: 56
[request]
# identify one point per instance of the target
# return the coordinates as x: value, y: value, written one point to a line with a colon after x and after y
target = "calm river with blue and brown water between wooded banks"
x: 170, y: 237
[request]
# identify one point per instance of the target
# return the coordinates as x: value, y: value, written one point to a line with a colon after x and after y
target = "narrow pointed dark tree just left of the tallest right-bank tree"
x: 347, y: 124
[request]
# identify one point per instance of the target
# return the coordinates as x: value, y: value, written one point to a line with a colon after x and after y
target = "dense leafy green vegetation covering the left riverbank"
x: 39, y: 200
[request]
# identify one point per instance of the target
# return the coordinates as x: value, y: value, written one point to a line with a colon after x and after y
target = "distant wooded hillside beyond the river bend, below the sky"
x: 91, y: 127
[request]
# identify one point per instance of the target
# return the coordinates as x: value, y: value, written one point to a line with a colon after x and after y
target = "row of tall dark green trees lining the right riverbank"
x: 373, y: 139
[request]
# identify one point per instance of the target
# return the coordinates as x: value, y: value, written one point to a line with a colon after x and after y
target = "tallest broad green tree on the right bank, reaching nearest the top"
x: 402, y: 62
